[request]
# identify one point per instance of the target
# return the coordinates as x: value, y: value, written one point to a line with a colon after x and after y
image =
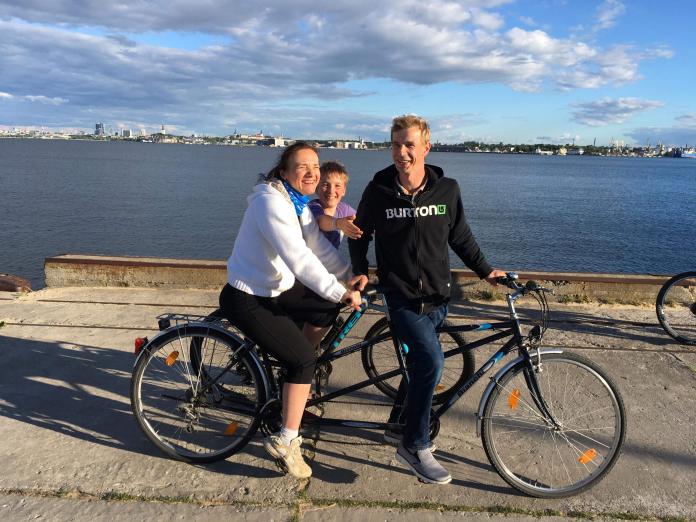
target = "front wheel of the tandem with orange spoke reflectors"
x: 545, y: 460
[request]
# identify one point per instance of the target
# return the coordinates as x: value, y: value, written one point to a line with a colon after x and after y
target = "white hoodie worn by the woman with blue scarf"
x: 273, y: 247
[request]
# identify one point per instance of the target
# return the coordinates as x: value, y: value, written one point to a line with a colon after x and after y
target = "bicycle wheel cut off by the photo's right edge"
x: 676, y: 307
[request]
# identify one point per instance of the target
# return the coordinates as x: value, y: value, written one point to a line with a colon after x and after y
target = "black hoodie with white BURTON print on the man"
x: 412, y: 236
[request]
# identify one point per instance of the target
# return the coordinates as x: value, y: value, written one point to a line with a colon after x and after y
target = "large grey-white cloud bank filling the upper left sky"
x: 96, y: 55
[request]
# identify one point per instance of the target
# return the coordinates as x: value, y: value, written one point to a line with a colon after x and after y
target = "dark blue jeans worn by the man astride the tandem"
x: 424, y: 363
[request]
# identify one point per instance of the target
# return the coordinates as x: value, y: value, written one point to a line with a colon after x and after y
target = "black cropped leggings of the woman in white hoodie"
x: 271, y: 322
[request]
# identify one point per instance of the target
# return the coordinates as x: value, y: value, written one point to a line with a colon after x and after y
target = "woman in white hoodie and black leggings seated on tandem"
x: 283, y: 271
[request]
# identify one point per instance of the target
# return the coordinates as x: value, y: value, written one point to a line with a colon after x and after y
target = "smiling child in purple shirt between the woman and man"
x: 335, y: 217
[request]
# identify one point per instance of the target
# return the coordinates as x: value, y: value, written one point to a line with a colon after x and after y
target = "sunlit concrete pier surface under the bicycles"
x: 71, y: 449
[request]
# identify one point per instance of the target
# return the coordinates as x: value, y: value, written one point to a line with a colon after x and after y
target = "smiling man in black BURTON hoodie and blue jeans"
x: 415, y: 213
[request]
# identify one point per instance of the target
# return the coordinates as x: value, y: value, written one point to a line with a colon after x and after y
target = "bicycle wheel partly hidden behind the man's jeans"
x: 379, y: 358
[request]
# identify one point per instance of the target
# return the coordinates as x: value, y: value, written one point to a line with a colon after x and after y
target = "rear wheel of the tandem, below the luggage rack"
x: 177, y: 409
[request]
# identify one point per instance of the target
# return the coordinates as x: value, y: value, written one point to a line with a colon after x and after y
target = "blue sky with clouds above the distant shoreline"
x: 544, y: 71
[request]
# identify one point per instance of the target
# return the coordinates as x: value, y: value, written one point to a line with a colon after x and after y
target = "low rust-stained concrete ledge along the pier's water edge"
x: 150, y: 272
